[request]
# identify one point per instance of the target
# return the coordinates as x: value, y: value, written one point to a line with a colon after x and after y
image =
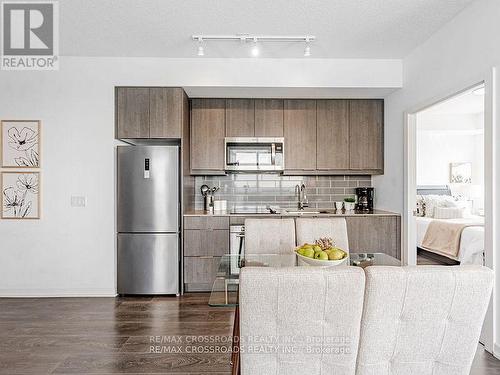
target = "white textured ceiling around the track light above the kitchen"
x: 162, y: 28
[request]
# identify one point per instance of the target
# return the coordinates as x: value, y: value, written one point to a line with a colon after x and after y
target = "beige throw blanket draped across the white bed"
x: 444, y: 237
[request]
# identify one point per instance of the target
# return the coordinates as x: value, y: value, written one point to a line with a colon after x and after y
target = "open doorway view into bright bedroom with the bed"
x: 449, y: 215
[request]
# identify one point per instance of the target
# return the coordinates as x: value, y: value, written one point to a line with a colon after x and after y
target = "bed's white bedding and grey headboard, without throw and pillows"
x: 471, y: 247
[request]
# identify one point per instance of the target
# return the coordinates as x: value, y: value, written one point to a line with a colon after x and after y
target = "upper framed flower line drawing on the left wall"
x: 20, y: 143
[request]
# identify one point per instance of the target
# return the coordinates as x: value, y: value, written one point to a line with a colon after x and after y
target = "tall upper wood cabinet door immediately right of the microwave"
x: 300, y: 134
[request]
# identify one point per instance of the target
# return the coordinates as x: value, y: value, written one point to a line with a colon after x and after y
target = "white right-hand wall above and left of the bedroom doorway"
x: 459, y: 55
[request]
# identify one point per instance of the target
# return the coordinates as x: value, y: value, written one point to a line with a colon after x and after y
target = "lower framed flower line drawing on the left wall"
x: 20, y: 195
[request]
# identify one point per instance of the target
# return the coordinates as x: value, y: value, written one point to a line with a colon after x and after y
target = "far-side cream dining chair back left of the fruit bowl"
x: 269, y: 236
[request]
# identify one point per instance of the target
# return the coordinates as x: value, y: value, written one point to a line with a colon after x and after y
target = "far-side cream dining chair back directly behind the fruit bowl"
x: 311, y: 229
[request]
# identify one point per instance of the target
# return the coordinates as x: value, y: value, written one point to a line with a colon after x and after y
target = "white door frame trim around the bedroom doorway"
x: 490, y: 179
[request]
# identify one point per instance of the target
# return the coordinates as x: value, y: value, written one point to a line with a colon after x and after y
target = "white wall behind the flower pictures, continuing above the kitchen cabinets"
x: 71, y: 251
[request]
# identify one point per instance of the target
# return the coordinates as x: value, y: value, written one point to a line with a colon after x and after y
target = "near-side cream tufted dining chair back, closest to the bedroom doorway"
x: 422, y: 320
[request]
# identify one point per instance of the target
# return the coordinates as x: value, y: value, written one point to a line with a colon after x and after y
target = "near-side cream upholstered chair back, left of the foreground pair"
x: 300, y: 320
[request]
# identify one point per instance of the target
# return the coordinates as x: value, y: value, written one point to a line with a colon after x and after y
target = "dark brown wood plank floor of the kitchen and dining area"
x: 123, y: 335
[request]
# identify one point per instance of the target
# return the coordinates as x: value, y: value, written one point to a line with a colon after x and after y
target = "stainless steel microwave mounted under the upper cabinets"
x: 254, y: 154
